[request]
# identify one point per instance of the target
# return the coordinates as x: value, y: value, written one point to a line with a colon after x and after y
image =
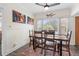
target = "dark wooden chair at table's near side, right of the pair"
x: 49, y: 43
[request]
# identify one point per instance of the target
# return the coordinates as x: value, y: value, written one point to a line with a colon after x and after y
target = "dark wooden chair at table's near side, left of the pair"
x: 38, y: 40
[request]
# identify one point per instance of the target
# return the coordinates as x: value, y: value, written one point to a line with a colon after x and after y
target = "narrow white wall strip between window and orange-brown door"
x: 71, y: 26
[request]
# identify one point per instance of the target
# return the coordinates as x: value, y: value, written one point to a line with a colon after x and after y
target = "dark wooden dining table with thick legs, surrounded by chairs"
x: 59, y: 38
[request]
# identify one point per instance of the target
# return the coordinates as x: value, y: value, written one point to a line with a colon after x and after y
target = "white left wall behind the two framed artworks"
x: 14, y: 35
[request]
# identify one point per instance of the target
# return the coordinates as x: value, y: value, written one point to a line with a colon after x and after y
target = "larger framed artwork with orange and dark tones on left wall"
x: 18, y: 17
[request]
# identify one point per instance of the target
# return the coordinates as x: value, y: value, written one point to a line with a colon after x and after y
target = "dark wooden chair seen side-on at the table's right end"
x: 66, y: 44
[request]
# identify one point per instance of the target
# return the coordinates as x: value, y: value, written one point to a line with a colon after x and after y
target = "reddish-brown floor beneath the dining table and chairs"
x: 28, y: 51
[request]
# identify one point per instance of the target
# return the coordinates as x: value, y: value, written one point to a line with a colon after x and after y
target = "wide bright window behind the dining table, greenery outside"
x: 60, y: 25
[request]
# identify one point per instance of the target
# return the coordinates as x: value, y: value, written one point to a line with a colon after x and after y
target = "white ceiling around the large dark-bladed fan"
x: 33, y: 8
